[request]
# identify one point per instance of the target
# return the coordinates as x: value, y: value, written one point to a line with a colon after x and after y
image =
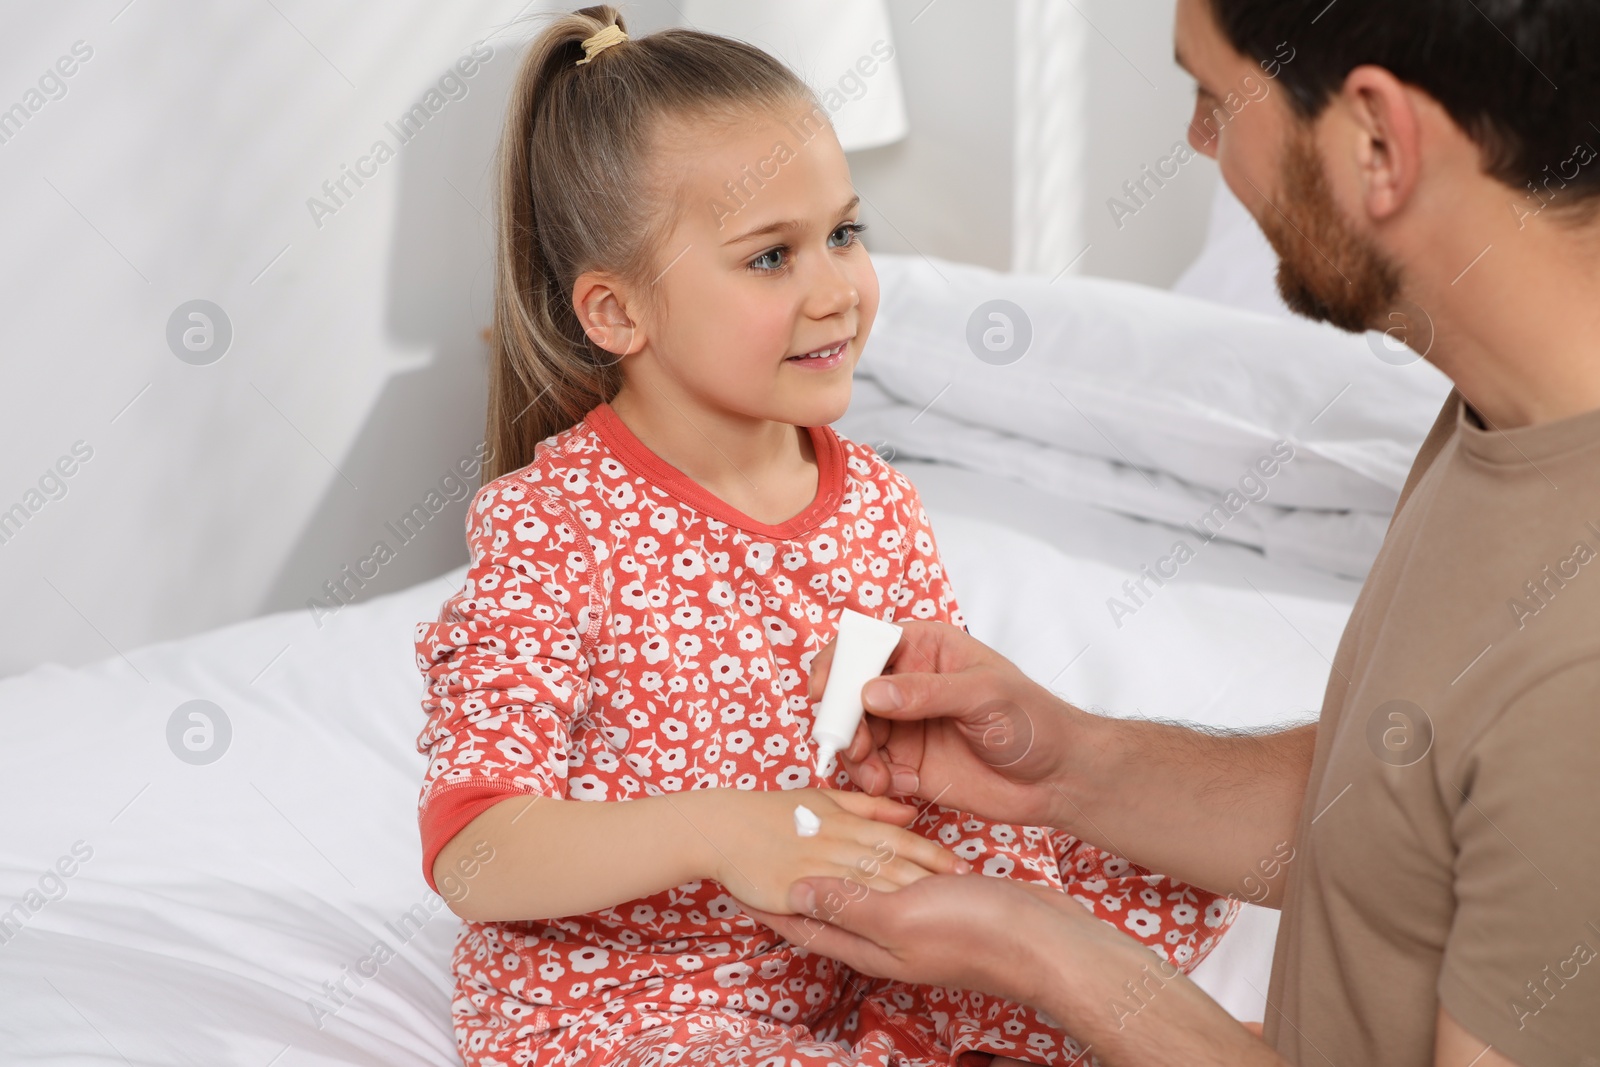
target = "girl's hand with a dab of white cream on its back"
x: 753, y: 849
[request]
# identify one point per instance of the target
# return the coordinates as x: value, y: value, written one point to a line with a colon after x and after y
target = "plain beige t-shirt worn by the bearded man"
x: 1450, y: 844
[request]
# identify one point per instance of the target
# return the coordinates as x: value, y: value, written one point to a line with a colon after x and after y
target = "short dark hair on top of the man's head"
x: 1521, y: 78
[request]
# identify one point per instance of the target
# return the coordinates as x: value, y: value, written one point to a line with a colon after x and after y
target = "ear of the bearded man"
x: 1390, y: 148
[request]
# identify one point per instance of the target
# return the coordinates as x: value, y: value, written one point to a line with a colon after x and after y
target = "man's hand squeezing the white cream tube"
x: 958, y: 722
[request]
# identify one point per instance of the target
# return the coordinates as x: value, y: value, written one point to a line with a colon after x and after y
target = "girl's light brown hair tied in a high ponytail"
x: 577, y: 193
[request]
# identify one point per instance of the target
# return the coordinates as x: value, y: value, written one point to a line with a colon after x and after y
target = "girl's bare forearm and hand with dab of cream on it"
x: 534, y: 858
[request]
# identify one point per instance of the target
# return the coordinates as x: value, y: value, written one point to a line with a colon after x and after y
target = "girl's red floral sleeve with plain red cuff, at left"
x: 506, y: 666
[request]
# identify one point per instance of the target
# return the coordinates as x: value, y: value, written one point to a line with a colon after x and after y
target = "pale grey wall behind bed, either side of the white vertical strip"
x: 950, y: 182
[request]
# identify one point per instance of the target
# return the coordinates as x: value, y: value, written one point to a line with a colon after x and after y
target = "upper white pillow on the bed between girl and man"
x: 1154, y: 380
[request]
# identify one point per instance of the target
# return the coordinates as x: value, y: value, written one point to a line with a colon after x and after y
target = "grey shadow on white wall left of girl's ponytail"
x: 417, y: 458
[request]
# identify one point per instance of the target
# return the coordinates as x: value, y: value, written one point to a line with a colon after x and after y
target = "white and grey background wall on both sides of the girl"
x: 178, y: 166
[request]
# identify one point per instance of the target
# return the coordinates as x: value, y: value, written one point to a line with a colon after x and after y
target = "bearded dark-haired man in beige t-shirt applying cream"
x: 1434, y: 841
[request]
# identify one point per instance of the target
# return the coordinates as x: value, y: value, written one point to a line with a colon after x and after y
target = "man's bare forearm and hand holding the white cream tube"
x: 959, y: 722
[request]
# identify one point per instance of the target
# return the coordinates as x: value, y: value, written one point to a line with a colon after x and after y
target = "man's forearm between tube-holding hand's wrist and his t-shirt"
x: 1215, y: 810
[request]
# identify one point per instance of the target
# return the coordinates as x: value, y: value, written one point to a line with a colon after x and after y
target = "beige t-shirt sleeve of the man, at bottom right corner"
x: 1522, y: 961
